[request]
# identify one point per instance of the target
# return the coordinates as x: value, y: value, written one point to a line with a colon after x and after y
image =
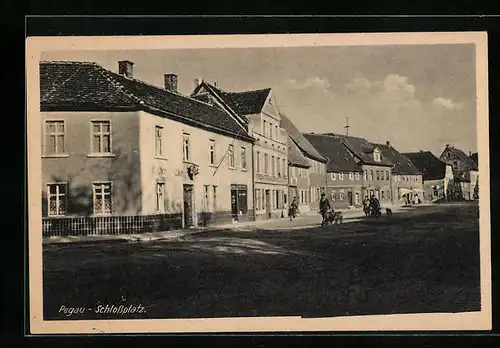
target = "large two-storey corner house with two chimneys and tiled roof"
x: 123, y: 156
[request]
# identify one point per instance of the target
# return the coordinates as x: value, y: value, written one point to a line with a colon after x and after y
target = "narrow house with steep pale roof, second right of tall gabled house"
x: 316, y: 171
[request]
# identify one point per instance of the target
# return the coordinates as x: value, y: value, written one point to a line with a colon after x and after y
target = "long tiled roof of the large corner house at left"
x: 80, y: 86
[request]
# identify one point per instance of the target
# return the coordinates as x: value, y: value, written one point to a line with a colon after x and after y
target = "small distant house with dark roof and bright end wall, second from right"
x: 437, y: 175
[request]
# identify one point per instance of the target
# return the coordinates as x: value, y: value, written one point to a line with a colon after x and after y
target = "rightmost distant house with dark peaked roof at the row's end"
x: 465, y: 172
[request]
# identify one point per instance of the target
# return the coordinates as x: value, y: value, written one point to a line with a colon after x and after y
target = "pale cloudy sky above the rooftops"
x: 418, y: 97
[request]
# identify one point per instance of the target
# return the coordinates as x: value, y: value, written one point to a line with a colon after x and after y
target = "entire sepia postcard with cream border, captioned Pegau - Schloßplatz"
x: 258, y: 183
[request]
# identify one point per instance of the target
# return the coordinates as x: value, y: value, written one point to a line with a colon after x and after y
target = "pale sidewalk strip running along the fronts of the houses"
x: 349, y: 214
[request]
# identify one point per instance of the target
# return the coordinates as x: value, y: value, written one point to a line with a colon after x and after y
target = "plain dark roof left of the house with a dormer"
x: 339, y: 157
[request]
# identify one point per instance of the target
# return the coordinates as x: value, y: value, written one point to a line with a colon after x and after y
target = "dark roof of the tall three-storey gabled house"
x: 242, y: 103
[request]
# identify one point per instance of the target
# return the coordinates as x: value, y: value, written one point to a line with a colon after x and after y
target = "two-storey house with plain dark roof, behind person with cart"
x: 344, y: 175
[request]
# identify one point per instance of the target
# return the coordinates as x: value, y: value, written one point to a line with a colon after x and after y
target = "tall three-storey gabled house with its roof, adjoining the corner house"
x: 259, y: 109
